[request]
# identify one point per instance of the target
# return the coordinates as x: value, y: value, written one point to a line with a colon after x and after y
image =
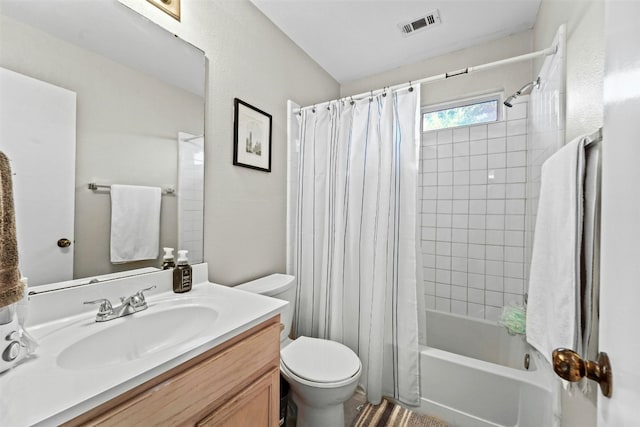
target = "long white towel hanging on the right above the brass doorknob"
x: 553, y: 313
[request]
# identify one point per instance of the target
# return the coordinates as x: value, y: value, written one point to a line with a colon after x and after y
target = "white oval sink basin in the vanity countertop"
x: 138, y: 335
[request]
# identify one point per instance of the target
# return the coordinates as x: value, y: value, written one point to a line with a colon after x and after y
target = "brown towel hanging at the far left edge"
x: 11, y: 288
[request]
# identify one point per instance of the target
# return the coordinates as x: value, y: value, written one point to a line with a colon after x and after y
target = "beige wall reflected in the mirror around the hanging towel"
x: 127, y: 125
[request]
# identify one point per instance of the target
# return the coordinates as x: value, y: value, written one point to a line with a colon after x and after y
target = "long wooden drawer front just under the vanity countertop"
x: 191, y: 394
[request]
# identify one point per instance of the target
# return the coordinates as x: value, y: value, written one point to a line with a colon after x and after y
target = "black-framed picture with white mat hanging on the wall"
x: 251, y: 137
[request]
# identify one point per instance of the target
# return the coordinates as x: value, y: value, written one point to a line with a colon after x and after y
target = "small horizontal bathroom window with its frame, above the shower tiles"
x: 461, y: 113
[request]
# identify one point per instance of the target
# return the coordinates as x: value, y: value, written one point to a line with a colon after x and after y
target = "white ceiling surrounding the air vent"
x: 352, y: 39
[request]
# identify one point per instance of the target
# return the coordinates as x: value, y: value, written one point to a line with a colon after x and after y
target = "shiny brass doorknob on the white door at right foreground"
x: 569, y: 365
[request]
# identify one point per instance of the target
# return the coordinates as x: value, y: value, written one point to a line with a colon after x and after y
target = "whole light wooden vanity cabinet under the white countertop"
x: 233, y: 384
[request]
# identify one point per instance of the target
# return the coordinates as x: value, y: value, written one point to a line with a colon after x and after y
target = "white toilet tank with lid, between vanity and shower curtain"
x: 279, y: 286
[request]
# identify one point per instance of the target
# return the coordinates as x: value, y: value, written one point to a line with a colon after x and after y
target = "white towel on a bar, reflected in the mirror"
x: 135, y: 223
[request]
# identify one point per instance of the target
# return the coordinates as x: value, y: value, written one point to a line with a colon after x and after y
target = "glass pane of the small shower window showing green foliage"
x: 482, y: 112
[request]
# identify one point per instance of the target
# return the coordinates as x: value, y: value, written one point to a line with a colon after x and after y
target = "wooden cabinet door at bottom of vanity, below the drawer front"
x: 256, y: 406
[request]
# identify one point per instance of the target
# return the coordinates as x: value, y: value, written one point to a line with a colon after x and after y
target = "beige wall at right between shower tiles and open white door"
x: 584, y: 112
